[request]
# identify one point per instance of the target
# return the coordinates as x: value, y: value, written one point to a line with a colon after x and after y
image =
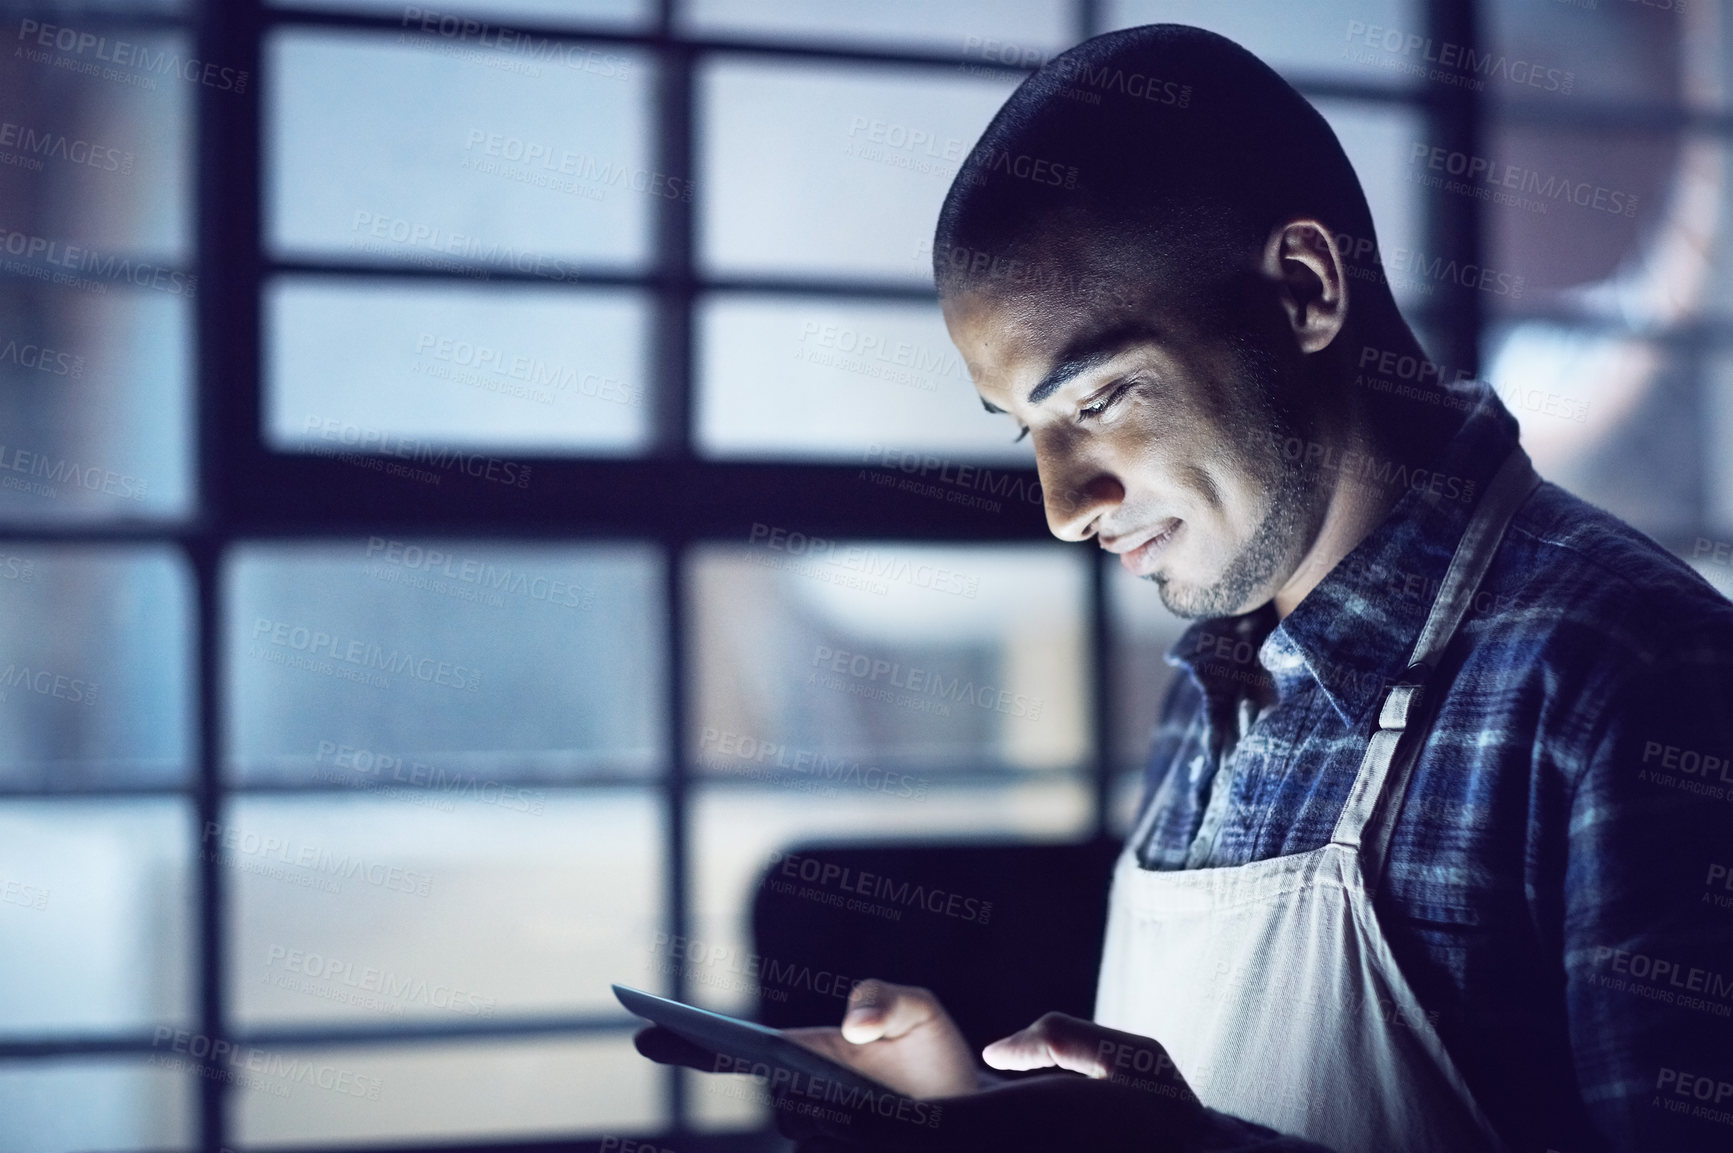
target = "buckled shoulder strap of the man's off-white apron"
x: 1368, y: 819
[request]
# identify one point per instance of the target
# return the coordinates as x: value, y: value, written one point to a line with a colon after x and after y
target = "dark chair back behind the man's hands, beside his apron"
x: 921, y: 920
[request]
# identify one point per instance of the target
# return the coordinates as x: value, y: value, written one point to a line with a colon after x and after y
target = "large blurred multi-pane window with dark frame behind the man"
x: 477, y: 483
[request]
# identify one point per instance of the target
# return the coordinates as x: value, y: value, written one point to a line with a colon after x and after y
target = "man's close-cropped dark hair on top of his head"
x: 1155, y: 157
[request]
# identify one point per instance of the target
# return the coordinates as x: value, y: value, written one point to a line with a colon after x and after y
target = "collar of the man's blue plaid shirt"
x: 1354, y: 632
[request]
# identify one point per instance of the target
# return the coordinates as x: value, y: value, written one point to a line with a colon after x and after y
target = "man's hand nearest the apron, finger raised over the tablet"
x: 1129, y: 1097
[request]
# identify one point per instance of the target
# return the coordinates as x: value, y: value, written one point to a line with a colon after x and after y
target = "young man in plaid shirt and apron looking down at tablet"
x: 1434, y: 824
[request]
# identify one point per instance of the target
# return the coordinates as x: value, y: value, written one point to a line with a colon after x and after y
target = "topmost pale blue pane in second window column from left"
x: 417, y: 152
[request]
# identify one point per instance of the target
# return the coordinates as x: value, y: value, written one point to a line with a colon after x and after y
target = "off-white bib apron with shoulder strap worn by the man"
x: 1271, y: 984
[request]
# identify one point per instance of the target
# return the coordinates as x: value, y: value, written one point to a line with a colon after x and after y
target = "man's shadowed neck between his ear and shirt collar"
x: 1372, y: 426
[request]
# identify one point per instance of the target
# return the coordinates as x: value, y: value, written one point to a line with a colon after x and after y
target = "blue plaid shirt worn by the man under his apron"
x: 1559, y: 883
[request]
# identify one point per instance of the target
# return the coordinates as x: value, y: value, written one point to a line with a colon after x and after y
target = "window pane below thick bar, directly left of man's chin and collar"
x: 817, y: 663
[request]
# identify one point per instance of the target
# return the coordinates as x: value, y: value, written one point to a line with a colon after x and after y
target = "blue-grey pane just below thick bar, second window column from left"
x: 476, y: 661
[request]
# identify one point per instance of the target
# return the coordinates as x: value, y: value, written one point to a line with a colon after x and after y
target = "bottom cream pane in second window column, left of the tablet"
x: 443, y: 1093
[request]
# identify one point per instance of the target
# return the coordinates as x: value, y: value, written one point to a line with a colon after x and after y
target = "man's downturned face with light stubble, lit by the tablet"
x: 1155, y: 436
